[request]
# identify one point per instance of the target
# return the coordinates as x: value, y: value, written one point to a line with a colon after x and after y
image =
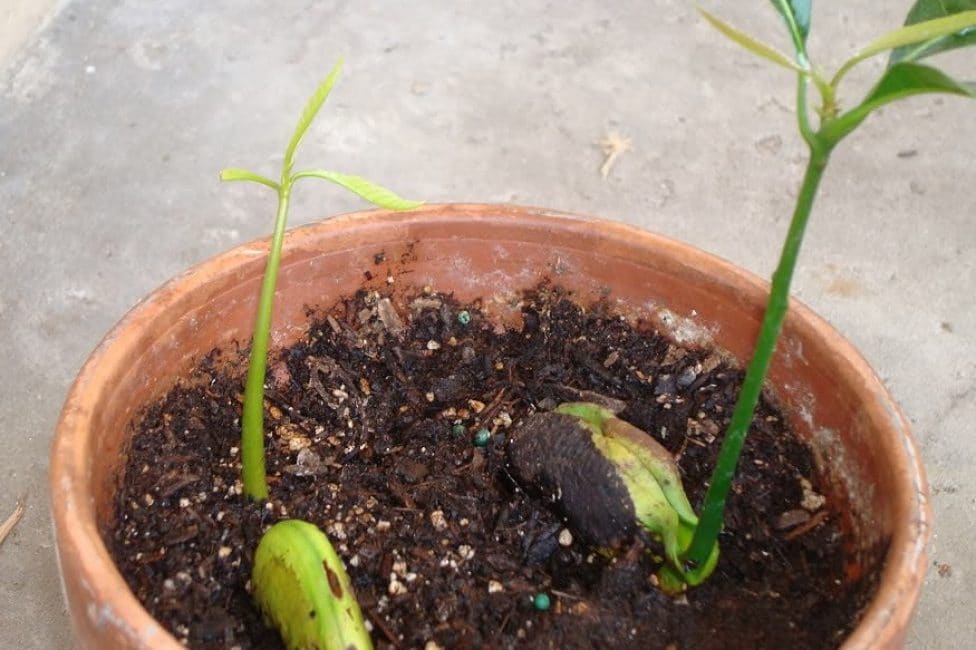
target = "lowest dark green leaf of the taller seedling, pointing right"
x: 899, y: 81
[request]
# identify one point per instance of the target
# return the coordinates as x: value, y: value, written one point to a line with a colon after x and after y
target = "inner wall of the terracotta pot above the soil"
x: 477, y: 260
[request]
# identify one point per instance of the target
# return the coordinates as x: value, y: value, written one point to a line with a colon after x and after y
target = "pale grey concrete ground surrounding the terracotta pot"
x: 116, y: 116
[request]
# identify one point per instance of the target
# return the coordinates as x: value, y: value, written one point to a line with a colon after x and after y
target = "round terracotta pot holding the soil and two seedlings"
x: 474, y: 251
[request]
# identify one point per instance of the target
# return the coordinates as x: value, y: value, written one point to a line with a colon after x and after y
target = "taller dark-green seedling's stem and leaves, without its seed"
x: 932, y: 26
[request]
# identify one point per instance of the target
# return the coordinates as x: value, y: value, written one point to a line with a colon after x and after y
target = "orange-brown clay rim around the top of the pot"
x: 69, y: 472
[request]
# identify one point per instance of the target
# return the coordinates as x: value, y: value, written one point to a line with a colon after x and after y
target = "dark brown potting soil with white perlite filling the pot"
x: 370, y: 427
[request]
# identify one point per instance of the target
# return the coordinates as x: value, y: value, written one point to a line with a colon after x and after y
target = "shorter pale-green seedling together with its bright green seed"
x: 299, y: 582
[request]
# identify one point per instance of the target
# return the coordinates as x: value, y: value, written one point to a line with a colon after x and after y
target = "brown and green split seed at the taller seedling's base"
x: 611, y: 480
